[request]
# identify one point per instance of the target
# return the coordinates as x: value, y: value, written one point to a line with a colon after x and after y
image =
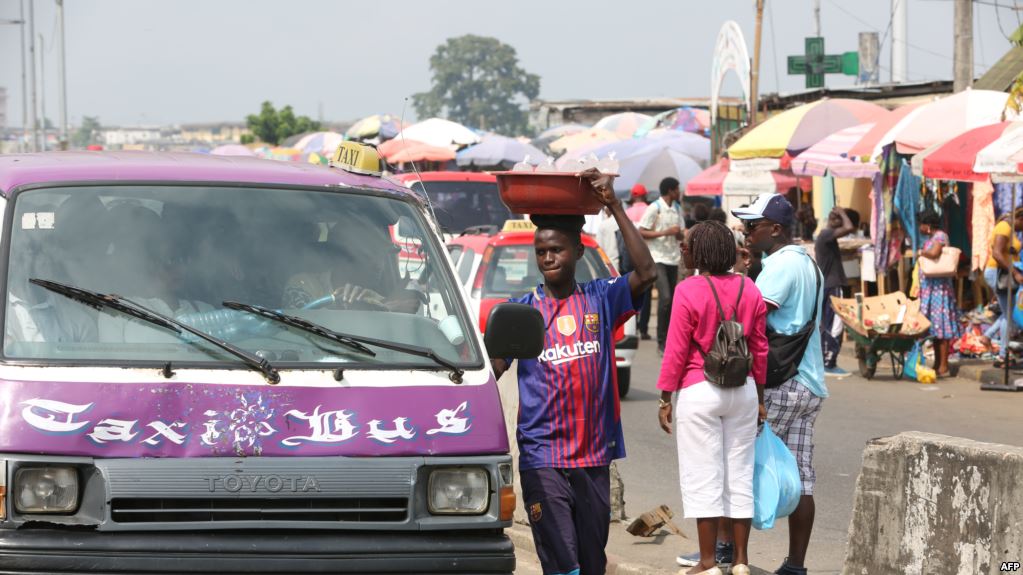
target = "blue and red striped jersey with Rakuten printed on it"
x: 569, y: 415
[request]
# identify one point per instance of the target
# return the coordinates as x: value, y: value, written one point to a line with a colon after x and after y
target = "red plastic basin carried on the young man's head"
x: 548, y: 193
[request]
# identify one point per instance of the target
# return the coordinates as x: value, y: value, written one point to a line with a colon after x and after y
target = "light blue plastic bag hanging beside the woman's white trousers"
x: 777, y: 488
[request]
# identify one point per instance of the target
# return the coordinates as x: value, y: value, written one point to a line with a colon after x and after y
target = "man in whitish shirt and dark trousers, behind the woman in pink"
x: 662, y: 228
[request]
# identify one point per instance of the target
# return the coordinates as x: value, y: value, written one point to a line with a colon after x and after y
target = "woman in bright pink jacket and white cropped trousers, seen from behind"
x: 717, y: 425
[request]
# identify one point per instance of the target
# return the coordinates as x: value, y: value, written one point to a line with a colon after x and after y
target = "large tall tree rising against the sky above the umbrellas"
x: 477, y: 81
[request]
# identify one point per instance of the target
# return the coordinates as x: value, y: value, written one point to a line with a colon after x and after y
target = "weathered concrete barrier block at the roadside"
x: 933, y: 505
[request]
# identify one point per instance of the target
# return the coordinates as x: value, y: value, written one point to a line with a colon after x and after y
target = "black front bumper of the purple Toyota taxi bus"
x: 63, y: 552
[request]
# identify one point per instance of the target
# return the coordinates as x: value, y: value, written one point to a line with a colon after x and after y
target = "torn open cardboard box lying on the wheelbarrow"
x: 880, y: 316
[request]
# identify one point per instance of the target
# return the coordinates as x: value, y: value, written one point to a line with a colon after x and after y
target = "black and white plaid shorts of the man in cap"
x: 792, y: 410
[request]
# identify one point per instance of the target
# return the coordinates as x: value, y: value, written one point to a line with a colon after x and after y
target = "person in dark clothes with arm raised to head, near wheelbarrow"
x: 841, y: 223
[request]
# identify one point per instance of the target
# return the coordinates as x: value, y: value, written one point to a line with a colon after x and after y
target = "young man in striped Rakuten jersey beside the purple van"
x: 569, y: 428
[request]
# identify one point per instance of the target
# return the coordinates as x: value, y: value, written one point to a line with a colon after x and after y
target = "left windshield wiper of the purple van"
x: 128, y: 307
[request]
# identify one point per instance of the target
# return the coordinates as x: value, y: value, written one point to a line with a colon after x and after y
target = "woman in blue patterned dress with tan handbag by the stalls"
x: 938, y: 297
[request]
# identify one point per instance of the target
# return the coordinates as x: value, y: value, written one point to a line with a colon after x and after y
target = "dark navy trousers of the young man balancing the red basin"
x: 569, y: 511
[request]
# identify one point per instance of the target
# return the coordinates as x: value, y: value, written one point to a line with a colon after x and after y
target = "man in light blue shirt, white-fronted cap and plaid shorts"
x: 790, y: 286
